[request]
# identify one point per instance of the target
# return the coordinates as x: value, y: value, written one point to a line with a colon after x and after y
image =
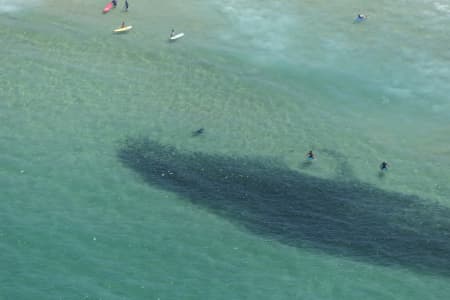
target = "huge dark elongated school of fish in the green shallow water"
x: 347, y: 218
